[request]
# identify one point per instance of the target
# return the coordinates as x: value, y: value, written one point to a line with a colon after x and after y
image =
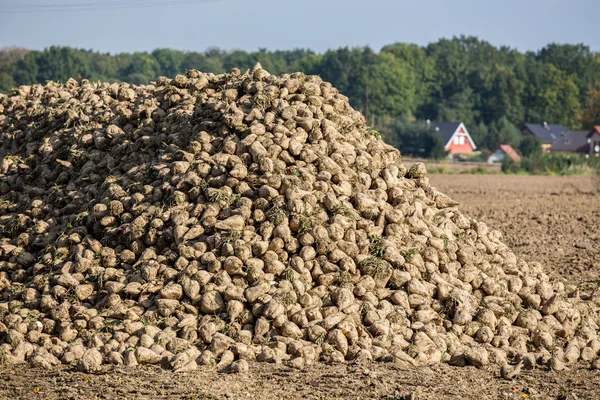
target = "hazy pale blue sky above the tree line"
x: 136, y: 25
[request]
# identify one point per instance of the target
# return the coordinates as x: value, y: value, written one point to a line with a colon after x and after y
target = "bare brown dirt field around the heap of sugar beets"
x: 554, y: 220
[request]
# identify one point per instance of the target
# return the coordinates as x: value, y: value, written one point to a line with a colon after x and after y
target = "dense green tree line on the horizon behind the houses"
x: 493, y: 90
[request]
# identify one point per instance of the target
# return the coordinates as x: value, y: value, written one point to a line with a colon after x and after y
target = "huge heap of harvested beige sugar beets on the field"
x: 212, y: 220
